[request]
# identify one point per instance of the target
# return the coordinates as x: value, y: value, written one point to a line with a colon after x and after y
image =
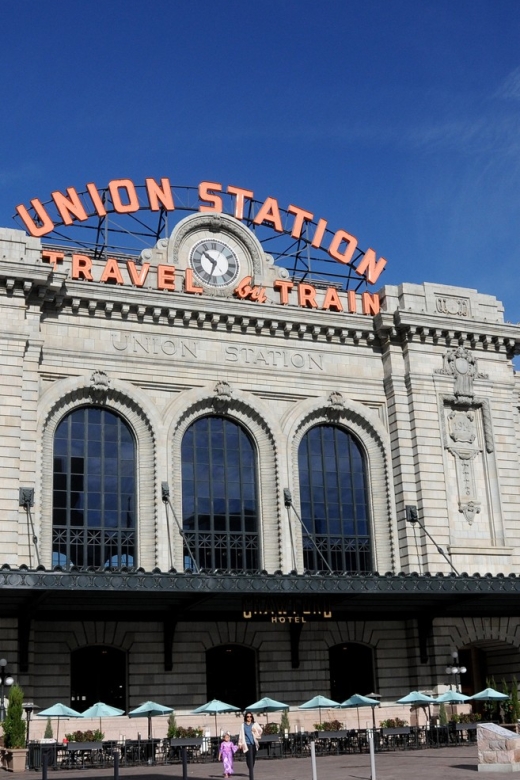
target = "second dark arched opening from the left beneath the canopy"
x: 231, y: 675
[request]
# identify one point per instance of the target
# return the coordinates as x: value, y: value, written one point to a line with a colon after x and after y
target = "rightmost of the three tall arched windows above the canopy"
x: 334, y: 501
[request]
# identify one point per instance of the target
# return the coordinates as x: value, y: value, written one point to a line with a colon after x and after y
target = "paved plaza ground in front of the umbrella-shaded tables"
x: 454, y: 763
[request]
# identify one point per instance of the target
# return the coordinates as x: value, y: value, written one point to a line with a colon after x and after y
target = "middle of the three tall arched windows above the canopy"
x: 219, y: 496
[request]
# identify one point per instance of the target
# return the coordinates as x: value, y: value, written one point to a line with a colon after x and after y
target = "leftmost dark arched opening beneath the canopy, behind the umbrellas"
x: 97, y: 673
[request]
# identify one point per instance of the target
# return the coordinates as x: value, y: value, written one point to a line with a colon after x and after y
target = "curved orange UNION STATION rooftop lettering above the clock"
x: 124, y: 200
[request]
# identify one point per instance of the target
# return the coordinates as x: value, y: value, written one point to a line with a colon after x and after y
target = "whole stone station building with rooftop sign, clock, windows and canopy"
x: 225, y: 477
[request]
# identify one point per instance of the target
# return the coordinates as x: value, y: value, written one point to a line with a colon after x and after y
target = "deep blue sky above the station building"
x: 394, y: 119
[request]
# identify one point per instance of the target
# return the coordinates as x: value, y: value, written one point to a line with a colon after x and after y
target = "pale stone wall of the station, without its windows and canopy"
x: 425, y: 384
